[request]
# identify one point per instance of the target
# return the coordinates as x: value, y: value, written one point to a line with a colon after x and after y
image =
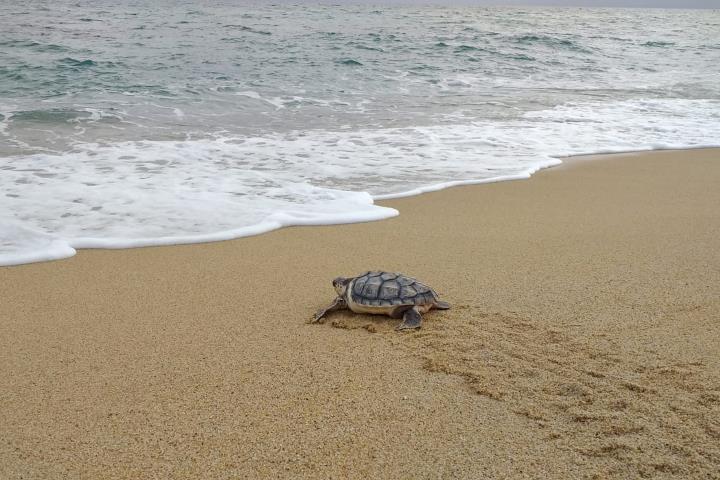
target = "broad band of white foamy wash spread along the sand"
x: 145, y: 193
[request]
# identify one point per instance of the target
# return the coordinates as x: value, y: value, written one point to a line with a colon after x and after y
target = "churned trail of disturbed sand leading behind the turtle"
x: 642, y: 418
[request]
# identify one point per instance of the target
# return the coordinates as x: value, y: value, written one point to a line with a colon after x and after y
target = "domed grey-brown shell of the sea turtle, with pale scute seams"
x: 382, y: 289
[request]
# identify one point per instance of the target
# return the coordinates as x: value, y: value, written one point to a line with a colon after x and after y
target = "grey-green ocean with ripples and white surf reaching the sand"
x: 128, y: 123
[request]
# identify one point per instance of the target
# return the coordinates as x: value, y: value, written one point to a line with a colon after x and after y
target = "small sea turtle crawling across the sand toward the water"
x: 384, y: 293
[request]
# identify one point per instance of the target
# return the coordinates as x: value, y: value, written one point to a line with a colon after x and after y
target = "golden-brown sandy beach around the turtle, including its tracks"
x: 583, y: 342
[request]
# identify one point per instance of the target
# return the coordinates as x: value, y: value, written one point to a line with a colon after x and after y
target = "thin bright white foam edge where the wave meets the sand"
x: 60, y: 247
